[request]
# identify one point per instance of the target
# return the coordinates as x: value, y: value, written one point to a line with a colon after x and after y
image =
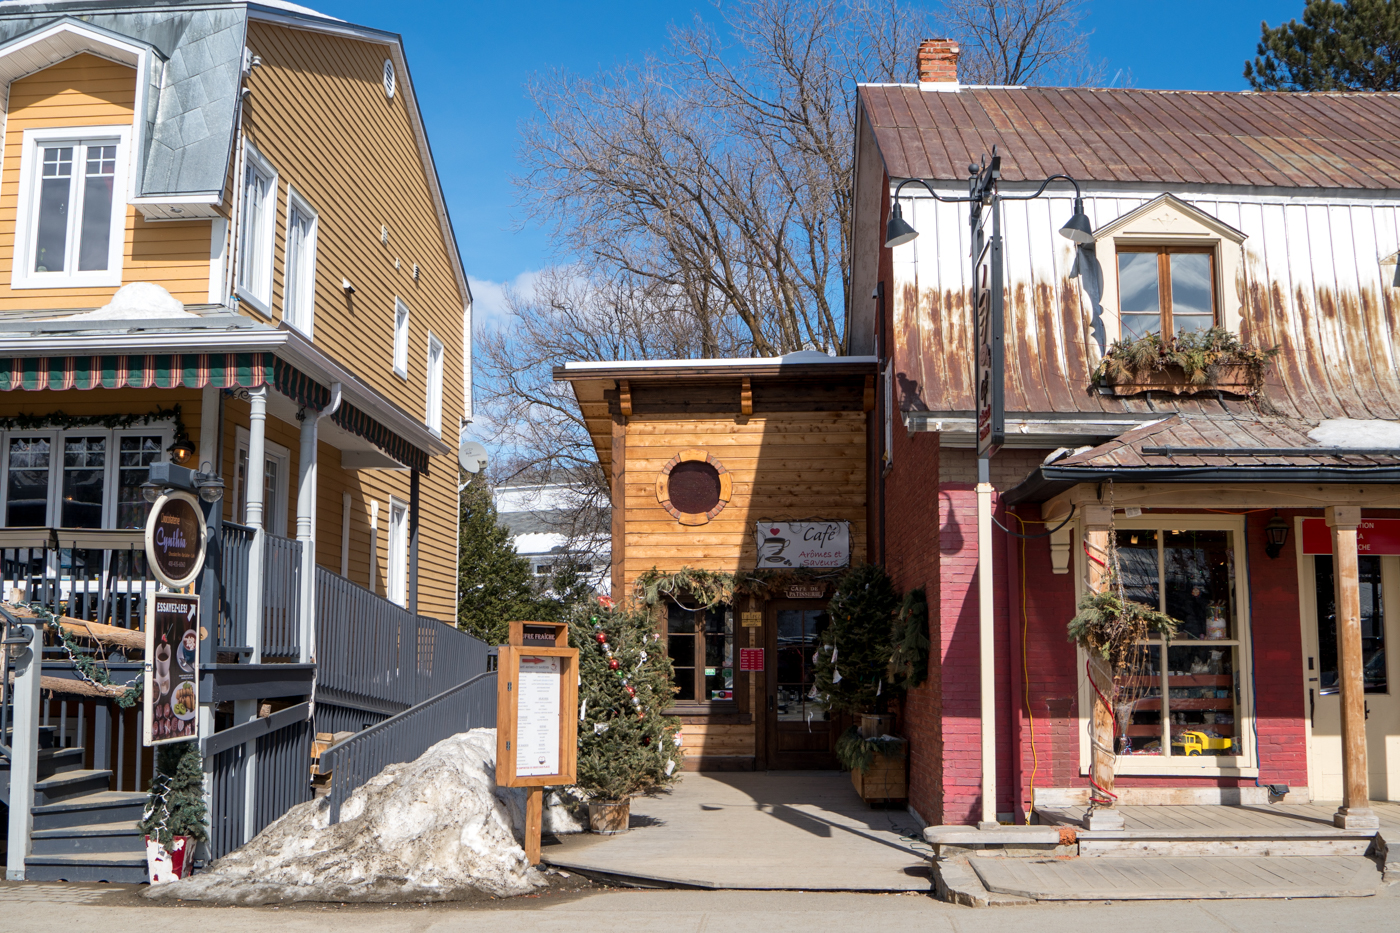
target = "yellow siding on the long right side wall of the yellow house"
x: 320, y: 116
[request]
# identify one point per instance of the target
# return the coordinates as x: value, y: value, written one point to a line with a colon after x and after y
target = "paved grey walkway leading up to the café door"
x: 797, y: 831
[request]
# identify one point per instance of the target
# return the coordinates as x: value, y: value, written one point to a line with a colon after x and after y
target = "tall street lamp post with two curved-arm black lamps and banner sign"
x: 989, y: 385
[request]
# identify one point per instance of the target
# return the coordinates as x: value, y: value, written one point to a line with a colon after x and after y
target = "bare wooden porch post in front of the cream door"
x: 1356, y: 805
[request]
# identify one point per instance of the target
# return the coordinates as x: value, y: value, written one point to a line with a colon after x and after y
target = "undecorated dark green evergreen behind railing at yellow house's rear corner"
x: 495, y: 583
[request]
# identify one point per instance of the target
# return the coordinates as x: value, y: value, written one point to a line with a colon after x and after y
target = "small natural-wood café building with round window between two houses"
x: 705, y: 457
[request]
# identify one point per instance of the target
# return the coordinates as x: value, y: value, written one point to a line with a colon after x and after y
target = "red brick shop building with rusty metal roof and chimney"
x: 1231, y: 506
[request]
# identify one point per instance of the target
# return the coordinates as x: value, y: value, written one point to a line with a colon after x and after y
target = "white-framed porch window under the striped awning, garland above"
x: 82, y: 478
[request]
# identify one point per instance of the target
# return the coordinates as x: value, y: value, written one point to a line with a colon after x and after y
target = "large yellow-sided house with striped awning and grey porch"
x: 223, y: 243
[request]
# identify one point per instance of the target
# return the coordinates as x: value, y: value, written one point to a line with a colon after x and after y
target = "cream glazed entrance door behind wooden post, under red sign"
x: 1380, y: 585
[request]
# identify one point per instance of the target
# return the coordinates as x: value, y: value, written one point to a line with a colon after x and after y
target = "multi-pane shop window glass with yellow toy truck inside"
x: 1184, y: 698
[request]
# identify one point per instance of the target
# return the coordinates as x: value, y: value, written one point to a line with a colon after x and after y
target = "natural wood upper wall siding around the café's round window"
x: 786, y: 469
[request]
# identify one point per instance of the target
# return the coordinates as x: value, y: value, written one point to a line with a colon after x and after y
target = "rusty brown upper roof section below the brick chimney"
x: 1118, y: 135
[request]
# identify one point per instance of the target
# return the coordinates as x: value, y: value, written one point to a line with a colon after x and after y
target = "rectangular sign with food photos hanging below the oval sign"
x: 171, y: 670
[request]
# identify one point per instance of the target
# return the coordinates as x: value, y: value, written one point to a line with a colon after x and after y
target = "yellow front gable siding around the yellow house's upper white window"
x: 92, y: 92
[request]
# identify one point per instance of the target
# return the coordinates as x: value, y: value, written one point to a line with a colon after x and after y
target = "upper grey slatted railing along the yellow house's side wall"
x: 376, y: 654
